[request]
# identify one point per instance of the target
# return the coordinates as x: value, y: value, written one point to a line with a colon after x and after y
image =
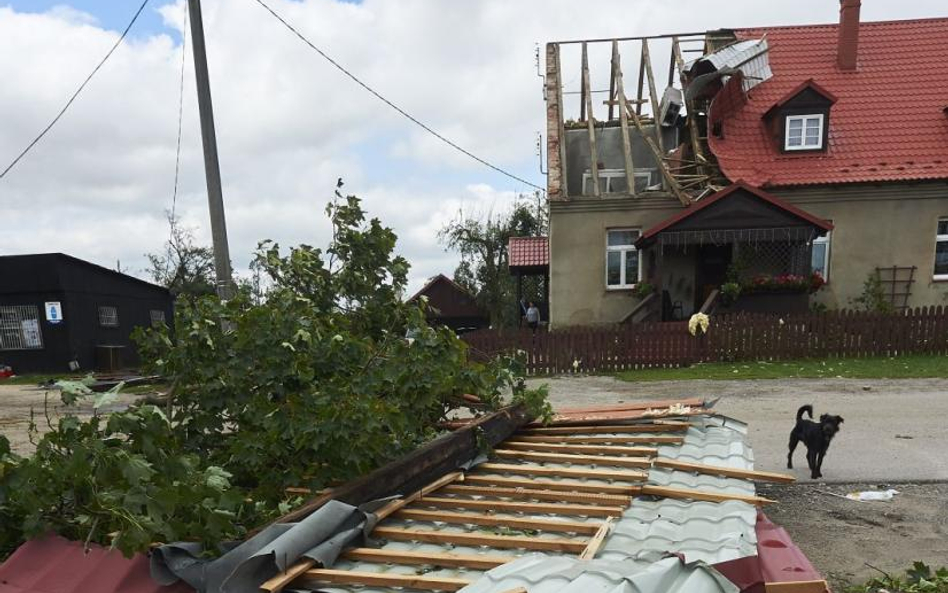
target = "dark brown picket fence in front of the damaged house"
x: 734, y: 337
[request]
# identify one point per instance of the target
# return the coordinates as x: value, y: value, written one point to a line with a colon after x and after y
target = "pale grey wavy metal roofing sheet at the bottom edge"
x: 561, y: 574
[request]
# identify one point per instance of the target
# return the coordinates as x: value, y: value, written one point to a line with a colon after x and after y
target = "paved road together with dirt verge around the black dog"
x: 894, y: 435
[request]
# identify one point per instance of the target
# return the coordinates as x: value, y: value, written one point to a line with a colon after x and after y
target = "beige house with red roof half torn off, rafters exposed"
x: 788, y: 165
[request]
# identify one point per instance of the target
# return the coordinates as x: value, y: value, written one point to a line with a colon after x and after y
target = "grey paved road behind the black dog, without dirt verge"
x: 896, y: 430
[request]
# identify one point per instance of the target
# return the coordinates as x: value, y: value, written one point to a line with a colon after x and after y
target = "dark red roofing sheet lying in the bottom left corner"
x: 57, y: 565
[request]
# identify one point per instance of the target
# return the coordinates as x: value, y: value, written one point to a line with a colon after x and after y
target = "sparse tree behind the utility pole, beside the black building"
x: 183, y: 267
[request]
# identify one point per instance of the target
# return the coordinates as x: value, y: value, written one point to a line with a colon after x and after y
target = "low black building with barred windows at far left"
x: 57, y: 312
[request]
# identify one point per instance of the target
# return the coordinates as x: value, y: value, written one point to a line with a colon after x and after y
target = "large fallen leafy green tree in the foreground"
x: 311, y: 384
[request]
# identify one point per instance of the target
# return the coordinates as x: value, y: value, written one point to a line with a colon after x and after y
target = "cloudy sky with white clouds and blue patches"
x: 289, y: 125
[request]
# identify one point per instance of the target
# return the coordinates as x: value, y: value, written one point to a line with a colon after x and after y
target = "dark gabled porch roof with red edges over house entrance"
x: 738, y: 207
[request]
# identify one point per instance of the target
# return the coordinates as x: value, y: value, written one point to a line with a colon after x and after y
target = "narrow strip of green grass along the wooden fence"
x: 903, y: 367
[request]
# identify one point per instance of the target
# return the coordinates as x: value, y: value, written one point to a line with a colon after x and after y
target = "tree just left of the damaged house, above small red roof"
x: 482, y: 243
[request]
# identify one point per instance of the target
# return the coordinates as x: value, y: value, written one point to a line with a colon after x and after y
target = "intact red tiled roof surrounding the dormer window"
x: 888, y: 123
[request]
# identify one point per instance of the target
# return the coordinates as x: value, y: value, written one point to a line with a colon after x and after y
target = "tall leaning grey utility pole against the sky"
x: 215, y: 197
